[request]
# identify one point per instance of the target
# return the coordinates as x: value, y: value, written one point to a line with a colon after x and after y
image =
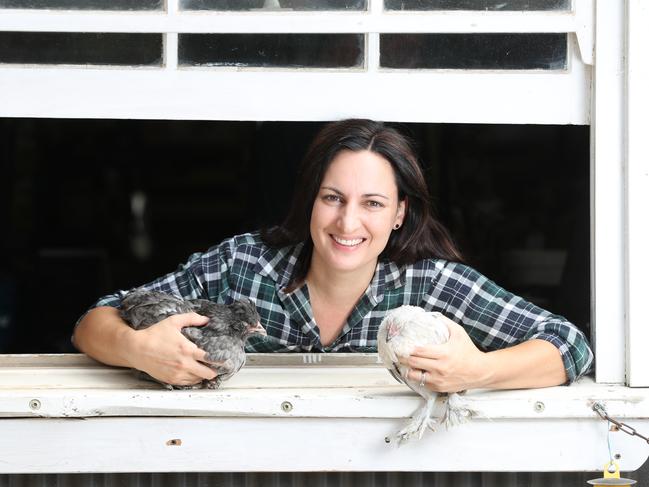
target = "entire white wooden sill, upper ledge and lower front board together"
x: 293, y: 413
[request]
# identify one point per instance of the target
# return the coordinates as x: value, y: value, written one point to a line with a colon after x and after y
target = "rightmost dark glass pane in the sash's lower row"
x: 474, y: 51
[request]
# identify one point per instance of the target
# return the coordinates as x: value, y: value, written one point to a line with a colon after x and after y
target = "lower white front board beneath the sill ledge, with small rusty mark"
x: 302, y: 444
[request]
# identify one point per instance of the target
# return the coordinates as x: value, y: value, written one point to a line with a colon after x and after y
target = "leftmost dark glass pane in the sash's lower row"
x: 80, y: 48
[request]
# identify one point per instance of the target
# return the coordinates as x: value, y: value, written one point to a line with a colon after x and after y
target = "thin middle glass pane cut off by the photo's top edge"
x: 273, y: 4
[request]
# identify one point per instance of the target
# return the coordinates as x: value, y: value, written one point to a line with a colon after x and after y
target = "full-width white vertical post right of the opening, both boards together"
x: 620, y: 189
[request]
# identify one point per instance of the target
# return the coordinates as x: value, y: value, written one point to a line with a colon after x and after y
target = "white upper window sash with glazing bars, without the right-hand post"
x: 541, y: 97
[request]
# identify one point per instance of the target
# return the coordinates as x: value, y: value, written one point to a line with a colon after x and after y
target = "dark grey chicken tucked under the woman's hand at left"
x: 223, y: 337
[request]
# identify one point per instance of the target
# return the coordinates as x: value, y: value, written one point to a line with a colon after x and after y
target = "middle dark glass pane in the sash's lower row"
x: 276, y: 50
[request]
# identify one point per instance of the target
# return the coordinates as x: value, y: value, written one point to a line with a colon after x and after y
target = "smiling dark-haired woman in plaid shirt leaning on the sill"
x: 359, y: 240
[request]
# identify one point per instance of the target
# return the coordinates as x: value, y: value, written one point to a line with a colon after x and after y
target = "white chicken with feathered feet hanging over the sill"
x: 401, y: 331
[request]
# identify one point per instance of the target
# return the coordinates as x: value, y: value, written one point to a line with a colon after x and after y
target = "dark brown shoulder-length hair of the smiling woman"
x: 421, y: 235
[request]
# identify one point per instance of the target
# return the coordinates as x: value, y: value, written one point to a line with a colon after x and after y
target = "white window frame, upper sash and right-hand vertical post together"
x: 579, y: 95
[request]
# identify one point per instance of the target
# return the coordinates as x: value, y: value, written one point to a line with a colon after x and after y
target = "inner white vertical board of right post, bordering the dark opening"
x: 608, y: 277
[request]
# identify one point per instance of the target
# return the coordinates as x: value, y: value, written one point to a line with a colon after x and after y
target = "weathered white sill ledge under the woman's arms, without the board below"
x: 349, y: 386
